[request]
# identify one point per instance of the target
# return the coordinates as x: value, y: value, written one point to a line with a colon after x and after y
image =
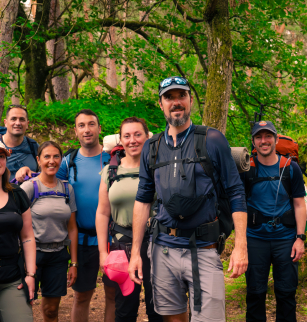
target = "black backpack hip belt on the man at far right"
x: 256, y: 218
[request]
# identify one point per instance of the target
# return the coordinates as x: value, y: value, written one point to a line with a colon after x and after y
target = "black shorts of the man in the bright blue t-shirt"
x: 88, y: 259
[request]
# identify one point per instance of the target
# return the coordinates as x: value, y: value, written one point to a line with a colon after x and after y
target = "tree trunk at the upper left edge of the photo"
x: 8, y: 14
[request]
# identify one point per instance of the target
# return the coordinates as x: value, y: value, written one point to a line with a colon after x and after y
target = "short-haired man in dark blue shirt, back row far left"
x: 23, y: 149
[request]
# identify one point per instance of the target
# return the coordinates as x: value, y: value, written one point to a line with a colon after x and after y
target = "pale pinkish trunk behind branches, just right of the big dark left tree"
x: 56, y: 49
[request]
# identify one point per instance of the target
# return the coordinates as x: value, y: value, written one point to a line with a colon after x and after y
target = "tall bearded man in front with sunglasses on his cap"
x: 185, y: 231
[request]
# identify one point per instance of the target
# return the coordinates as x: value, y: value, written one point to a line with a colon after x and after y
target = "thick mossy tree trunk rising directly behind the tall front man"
x: 220, y: 64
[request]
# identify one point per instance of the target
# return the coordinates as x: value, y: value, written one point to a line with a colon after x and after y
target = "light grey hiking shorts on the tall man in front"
x: 171, y: 277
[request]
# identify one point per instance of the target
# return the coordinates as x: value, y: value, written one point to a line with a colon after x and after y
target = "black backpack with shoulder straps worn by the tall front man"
x: 222, y: 205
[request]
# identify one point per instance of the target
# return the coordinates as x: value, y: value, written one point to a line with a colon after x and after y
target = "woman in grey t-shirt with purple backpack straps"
x: 53, y: 217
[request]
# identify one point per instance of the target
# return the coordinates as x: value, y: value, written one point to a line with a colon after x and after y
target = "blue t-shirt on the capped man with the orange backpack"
x: 271, y: 199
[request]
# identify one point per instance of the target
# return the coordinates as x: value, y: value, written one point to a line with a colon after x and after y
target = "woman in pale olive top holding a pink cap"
x: 117, y: 197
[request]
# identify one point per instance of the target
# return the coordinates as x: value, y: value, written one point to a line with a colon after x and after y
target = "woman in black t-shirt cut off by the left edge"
x: 15, y: 222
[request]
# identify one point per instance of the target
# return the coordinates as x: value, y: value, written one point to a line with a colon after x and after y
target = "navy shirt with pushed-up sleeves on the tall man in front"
x: 226, y: 170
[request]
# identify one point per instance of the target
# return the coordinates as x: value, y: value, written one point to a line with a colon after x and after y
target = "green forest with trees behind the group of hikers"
x: 59, y: 56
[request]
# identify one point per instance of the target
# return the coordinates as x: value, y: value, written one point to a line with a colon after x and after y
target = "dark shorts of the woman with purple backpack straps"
x: 52, y: 273
